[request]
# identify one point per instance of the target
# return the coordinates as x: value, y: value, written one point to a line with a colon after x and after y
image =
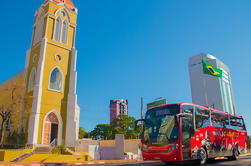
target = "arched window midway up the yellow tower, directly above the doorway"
x: 56, y: 80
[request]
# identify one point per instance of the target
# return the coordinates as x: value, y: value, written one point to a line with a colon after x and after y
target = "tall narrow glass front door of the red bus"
x: 187, y: 131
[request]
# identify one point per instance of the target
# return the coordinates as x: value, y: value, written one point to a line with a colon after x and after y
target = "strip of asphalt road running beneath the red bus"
x: 243, y: 161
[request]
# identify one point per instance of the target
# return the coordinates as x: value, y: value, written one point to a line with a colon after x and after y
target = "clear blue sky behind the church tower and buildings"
x: 133, y: 48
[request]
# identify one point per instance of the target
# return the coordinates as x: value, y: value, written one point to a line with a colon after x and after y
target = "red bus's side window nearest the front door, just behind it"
x: 202, y: 118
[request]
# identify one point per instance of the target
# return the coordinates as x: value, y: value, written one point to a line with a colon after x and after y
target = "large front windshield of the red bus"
x: 161, y: 126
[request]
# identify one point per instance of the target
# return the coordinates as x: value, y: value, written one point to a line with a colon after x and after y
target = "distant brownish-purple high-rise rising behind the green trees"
x: 118, y: 107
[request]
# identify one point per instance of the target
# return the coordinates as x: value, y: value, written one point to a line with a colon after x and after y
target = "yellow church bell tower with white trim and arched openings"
x: 50, y: 111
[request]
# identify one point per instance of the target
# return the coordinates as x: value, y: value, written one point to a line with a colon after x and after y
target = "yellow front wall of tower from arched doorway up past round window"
x: 52, y: 100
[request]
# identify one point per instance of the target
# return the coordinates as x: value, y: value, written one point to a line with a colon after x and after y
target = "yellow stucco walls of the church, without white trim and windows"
x: 50, y: 100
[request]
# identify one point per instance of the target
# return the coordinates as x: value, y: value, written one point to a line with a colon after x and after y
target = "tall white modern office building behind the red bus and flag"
x: 208, y: 90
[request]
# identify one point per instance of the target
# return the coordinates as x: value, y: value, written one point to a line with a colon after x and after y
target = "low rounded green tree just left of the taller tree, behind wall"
x: 102, y: 131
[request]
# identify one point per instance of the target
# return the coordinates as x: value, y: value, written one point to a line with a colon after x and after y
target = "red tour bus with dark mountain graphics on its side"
x: 185, y: 131
